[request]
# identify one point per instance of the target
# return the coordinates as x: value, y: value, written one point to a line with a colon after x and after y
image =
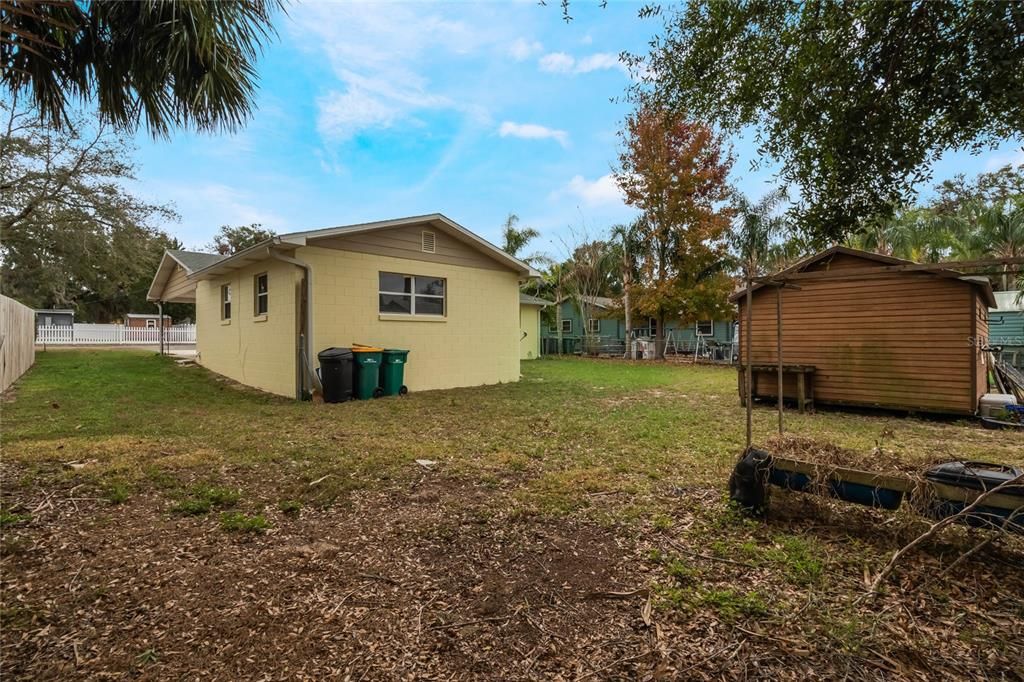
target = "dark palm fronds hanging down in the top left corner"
x: 174, y: 64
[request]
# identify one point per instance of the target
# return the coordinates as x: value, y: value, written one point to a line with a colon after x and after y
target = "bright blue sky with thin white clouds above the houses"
x: 374, y: 111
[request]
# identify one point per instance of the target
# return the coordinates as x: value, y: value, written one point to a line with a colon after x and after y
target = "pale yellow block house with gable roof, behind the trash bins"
x: 424, y: 284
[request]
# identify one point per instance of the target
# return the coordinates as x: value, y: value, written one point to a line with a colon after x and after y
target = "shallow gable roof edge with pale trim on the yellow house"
x: 437, y: 221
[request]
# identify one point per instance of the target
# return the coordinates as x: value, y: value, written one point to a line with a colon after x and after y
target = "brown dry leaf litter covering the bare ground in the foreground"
x: 418, y: 582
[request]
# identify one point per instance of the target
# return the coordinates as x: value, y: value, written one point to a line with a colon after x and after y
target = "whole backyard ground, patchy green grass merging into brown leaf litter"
x: 164, y: 522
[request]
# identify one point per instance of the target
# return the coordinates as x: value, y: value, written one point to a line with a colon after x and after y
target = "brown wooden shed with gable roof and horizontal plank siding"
x: 878, y: 331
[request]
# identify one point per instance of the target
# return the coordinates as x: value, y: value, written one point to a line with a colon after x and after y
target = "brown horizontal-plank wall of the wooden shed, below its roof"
x: 901, y: 342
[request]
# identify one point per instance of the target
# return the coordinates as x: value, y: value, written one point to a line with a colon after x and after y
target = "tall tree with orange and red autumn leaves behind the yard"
x: 676, y: 174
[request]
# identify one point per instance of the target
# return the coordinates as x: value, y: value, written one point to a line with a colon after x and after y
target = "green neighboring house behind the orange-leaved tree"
x: 605, y: 332
